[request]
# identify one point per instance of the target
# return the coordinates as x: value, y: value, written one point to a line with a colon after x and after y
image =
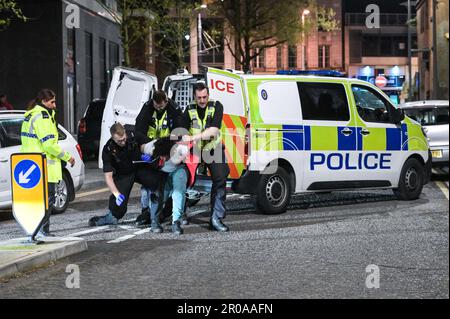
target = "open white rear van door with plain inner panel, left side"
x: 129, y: 90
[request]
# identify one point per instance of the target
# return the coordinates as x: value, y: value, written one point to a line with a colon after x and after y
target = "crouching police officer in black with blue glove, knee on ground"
x: 119, y: 156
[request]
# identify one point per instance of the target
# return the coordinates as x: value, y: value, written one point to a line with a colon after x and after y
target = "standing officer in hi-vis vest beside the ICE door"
x: 203, y: 119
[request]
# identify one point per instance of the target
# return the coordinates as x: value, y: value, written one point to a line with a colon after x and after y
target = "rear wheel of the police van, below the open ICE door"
x: 273, y: 193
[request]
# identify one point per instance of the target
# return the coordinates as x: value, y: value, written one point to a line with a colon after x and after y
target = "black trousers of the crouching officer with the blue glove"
x: 144, y: 175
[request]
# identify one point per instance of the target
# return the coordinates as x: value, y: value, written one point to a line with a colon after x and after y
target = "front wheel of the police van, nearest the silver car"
x: 411, y: 180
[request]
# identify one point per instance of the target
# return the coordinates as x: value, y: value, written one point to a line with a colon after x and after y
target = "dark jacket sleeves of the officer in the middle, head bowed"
x: 145, y: 120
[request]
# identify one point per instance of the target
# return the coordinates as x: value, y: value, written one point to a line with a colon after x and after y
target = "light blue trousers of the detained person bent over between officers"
x: 176, y: 187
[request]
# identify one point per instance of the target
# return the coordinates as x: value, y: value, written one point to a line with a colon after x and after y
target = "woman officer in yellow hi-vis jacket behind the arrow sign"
x: 40, y: 135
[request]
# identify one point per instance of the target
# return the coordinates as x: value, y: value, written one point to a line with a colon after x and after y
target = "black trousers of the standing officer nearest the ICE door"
x: 219, y: 173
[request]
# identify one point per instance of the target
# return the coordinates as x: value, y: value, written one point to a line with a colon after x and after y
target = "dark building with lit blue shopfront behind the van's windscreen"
x: 376, y: 45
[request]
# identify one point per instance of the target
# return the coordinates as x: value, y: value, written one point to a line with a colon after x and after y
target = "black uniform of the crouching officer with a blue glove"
x: 119, y: 160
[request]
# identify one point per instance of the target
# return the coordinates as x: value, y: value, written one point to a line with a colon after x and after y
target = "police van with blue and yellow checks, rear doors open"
x: 287, y: 134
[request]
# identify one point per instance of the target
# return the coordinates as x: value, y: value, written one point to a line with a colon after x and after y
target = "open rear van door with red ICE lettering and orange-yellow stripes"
x: 227, y: 88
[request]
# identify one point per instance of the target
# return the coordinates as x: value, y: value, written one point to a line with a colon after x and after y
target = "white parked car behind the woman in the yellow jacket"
x: 10, y: 142
